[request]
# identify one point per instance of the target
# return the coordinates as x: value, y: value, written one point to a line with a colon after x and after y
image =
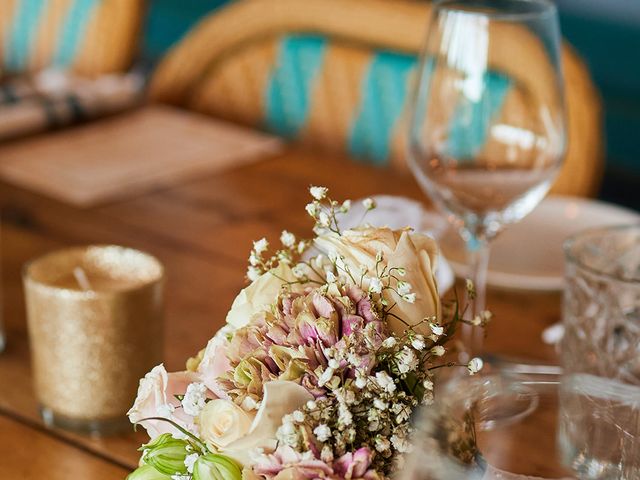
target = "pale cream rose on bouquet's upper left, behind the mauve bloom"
x: 260, y: 294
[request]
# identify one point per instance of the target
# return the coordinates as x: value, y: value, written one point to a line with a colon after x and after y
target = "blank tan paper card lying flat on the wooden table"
x: 134, y: 152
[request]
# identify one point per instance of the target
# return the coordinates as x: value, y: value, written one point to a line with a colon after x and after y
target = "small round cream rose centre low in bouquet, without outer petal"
x: 223, y: 422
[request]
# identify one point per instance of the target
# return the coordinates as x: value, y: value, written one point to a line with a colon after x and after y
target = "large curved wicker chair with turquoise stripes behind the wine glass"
x: 336, y: 73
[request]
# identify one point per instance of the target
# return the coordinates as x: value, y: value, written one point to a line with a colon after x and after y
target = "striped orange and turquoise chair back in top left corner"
x: 86, y: 36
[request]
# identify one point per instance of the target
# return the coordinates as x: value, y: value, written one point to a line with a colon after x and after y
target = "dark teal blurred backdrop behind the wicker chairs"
x: 605, y: 34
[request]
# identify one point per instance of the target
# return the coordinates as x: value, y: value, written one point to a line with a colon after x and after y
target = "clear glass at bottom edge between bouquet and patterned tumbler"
x: 488, y: 427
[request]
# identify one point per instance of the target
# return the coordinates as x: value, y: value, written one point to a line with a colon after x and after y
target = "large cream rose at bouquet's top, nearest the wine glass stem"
x: 414, y: 252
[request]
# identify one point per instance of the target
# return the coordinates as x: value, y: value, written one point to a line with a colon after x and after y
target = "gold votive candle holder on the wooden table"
x: 95, y: 317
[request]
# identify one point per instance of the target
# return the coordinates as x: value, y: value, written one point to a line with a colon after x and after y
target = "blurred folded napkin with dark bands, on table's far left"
x: 53, y: 99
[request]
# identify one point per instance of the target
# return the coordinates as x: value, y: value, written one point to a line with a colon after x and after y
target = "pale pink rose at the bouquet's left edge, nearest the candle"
x: 156, y: 399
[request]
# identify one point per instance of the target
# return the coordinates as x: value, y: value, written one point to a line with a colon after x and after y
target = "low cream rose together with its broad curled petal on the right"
x: 224, y: 423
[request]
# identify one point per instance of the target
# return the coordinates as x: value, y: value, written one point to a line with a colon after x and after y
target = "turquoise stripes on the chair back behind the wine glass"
x: 293, y: 85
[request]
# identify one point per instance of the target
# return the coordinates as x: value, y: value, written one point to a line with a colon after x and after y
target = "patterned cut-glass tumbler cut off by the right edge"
x: 599, y: 425
